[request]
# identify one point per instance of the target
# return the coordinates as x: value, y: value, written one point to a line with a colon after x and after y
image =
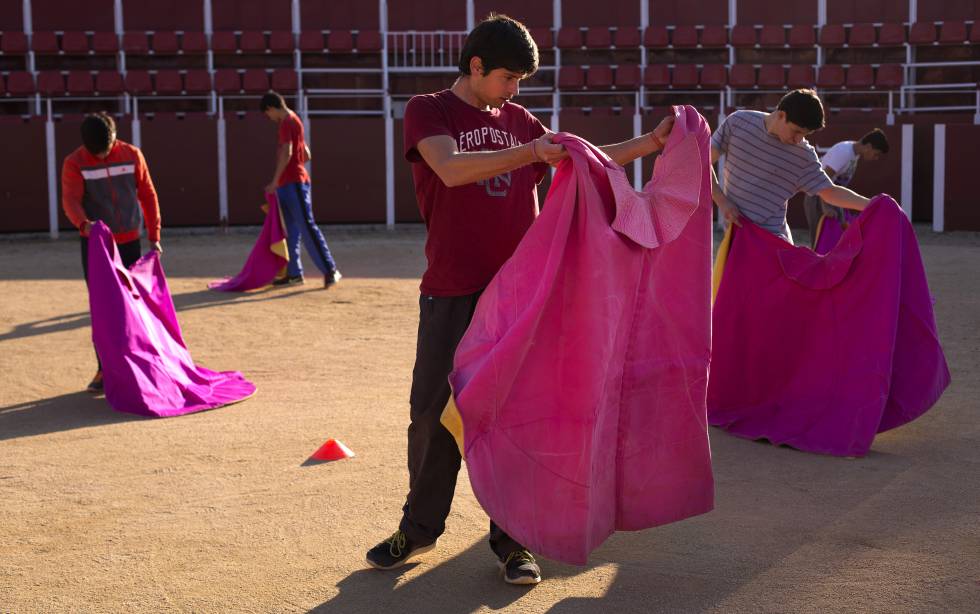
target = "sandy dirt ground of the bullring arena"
x: 218, y: 512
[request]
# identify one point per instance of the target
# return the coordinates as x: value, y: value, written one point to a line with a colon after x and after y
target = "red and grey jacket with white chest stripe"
x: 116, y: 189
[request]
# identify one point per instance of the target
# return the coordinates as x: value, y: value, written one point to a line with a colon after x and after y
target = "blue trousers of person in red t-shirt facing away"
x: 297, y: 212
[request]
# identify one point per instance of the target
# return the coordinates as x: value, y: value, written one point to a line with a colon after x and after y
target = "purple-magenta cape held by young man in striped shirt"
x: 822, y: 352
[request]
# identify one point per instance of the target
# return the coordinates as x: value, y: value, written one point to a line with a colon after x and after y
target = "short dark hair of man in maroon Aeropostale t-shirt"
x: 501, y: 42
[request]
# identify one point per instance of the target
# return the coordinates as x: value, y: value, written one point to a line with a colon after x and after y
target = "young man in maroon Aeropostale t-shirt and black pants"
x: 476, y: 160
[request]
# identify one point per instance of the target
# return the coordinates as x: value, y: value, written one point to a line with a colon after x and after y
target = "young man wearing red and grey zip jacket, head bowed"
x: 107, y: 180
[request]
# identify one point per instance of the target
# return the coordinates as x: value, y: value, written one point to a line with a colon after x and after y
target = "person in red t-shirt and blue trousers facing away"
x: 291, y: 184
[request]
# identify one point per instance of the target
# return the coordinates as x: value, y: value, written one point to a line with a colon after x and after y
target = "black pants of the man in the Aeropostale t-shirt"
x: 433, y: 458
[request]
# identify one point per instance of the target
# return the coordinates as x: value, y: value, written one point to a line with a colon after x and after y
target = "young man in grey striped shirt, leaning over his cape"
x: 768, y: 160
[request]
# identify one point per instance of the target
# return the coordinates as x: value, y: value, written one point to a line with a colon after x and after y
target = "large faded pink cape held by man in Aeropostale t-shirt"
x: 581, y: 381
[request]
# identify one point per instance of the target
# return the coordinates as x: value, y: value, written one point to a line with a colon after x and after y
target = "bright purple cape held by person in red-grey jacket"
x: 145, y: 364
